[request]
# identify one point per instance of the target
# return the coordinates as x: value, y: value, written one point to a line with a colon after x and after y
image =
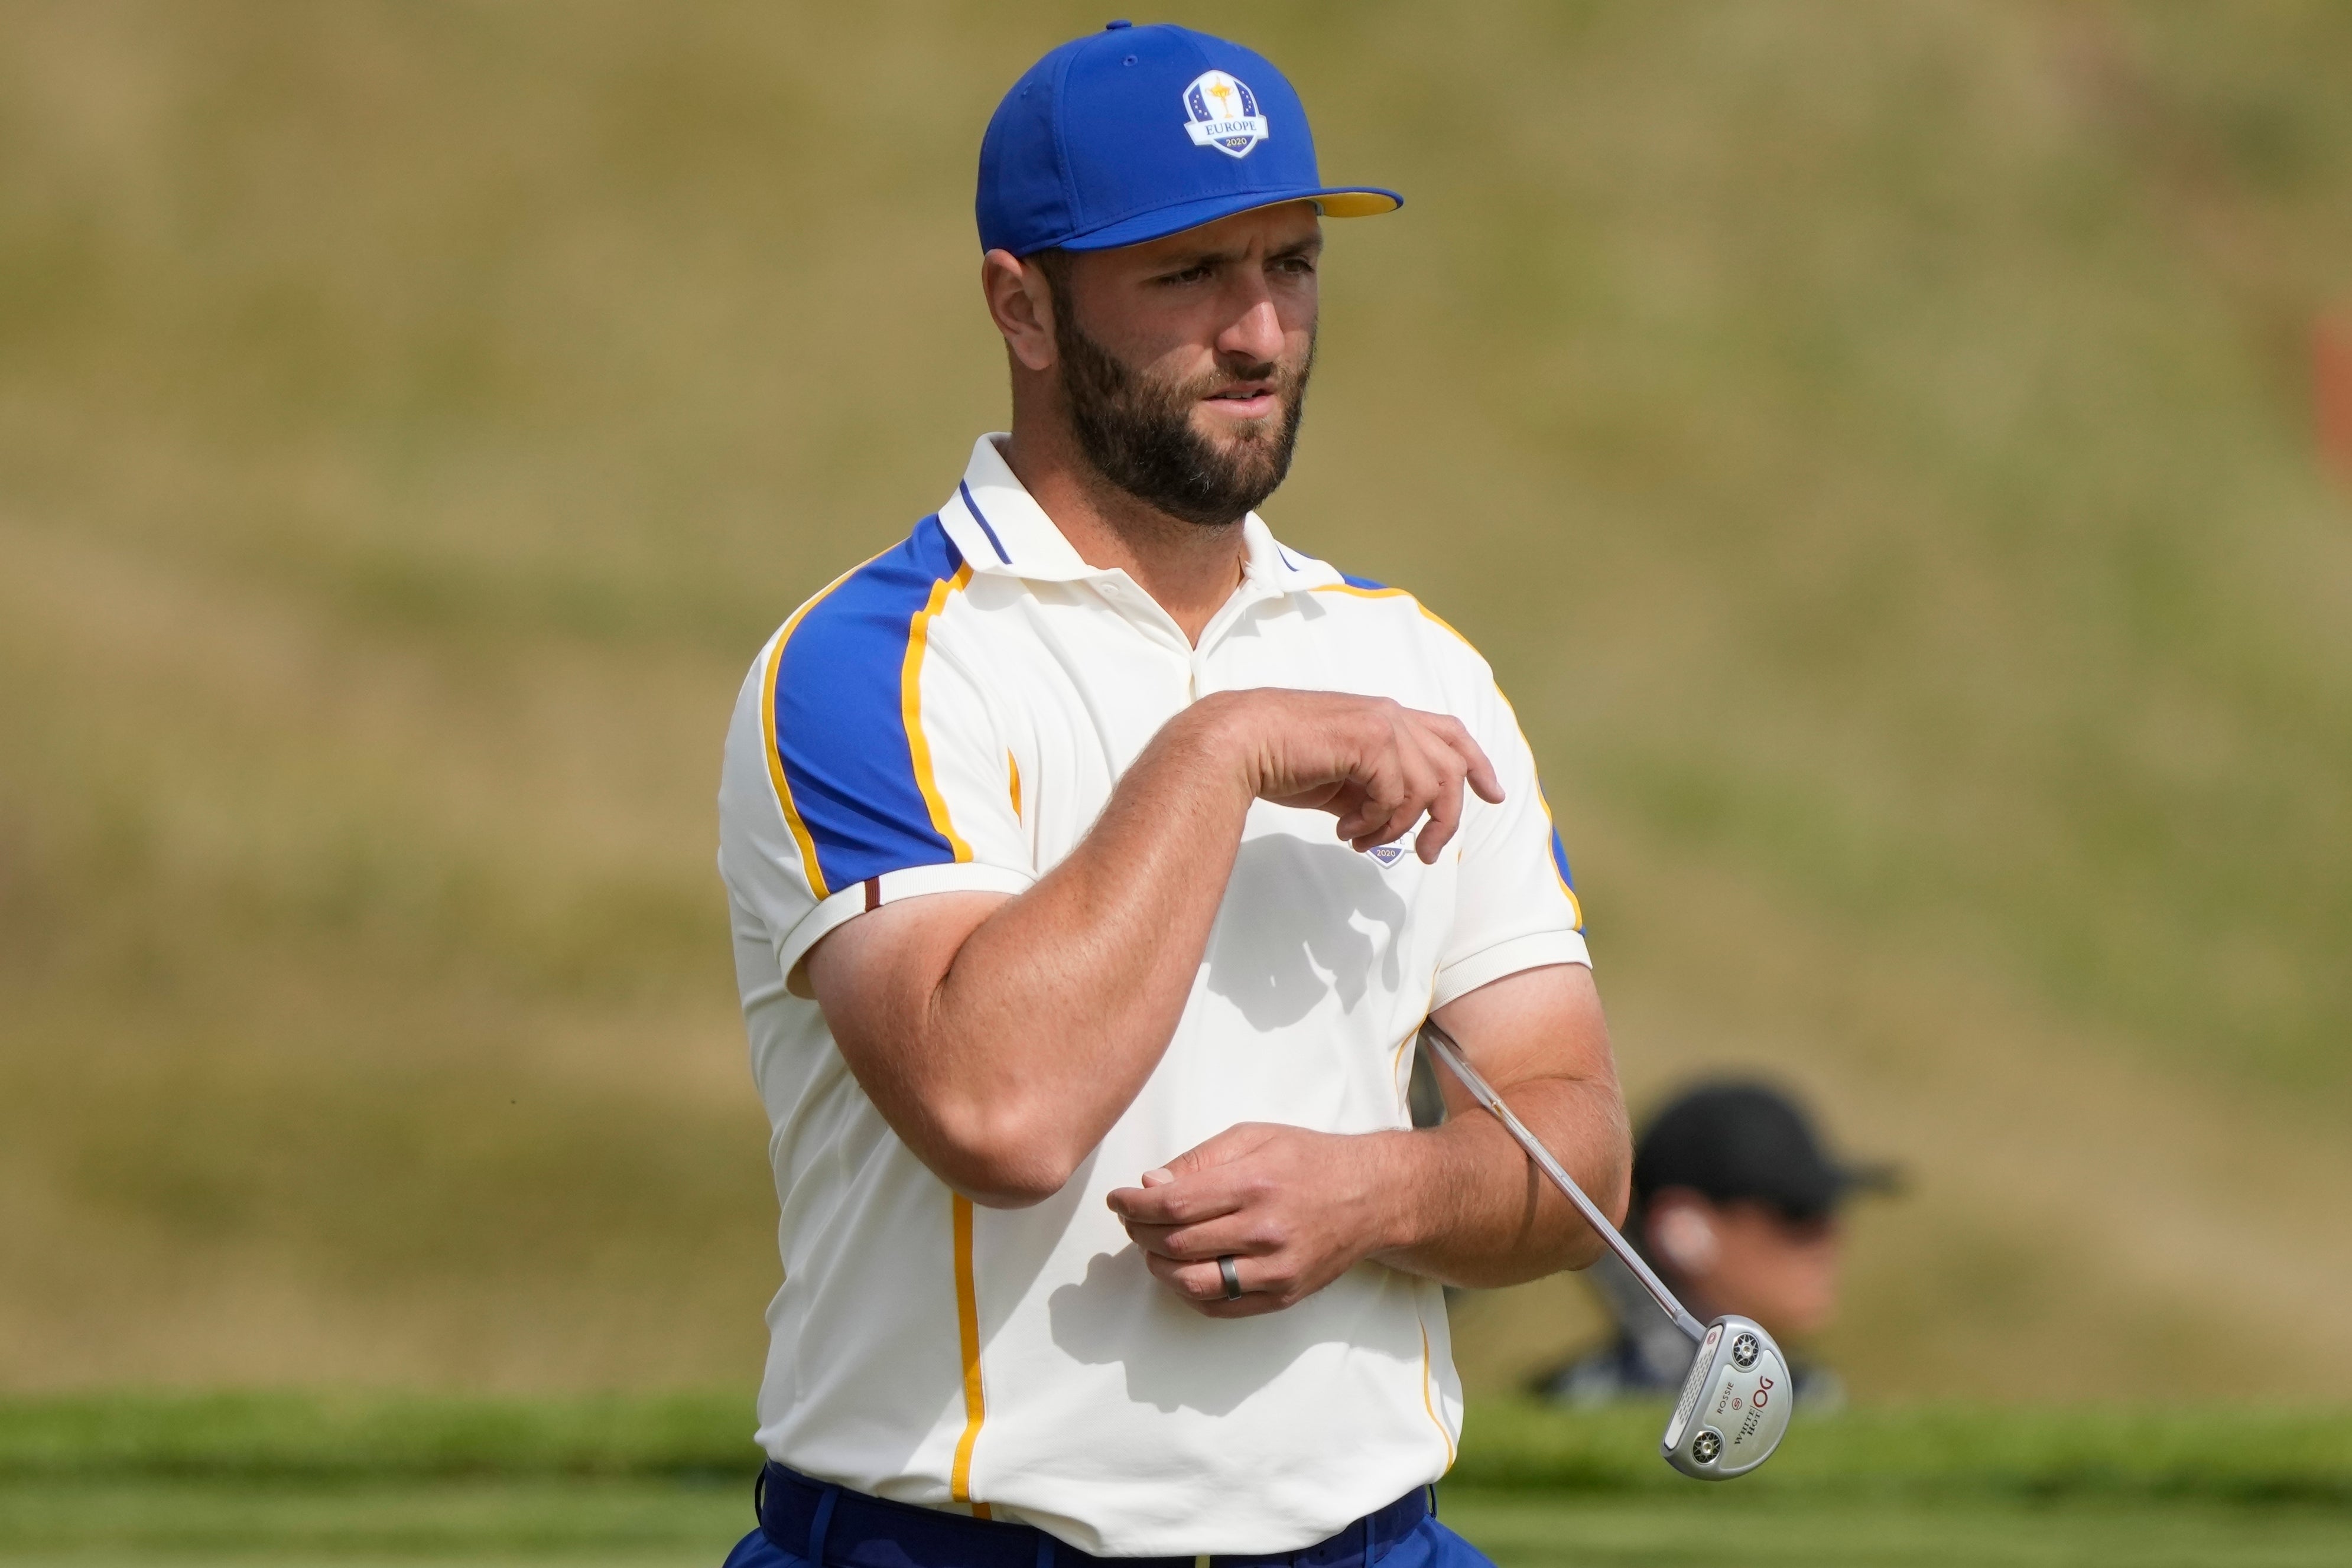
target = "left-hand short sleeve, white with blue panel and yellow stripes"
x: 864, y: 763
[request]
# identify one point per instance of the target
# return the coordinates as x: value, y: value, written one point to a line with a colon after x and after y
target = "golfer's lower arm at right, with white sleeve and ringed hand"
x: 1462, y: 1202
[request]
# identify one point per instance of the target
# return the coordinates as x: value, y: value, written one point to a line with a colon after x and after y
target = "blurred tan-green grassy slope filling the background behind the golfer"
x: 1871, y: 441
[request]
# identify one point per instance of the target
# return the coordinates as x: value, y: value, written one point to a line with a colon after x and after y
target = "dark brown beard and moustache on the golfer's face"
x: 1137, y: 431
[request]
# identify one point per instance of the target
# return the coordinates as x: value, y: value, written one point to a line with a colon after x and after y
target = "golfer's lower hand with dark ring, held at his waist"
x: 1292, y: 1207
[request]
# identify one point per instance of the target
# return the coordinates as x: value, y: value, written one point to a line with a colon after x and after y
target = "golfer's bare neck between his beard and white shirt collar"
x: 1189, y: 570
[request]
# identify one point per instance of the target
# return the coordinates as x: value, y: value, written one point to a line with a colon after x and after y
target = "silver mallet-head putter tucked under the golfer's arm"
x: 1737, y: 1400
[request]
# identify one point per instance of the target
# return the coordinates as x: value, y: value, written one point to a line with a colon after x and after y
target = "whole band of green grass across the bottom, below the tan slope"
x: 286, y: 1480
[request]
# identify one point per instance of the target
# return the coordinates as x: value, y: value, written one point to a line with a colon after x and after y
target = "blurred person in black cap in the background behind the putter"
x: 1737, y: 1205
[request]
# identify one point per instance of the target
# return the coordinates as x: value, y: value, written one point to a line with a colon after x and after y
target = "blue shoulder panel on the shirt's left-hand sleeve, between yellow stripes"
x: 841, y: 721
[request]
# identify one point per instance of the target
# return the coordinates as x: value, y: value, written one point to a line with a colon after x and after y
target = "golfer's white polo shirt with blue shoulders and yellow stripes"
x: 954, y: 716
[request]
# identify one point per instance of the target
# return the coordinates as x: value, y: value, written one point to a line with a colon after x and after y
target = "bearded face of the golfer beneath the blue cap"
x: 1184, y: 363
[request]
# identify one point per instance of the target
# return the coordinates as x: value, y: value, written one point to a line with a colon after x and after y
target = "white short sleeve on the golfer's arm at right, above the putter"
x: 1516, y: 904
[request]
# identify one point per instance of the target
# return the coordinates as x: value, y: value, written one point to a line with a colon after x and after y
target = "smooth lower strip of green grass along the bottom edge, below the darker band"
x: 667, y: 1522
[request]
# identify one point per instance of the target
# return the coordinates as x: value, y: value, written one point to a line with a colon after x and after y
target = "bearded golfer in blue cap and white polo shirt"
x: 1093, y: 859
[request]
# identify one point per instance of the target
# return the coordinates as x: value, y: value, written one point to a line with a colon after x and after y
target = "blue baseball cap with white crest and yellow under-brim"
x: 1132, y: 135
